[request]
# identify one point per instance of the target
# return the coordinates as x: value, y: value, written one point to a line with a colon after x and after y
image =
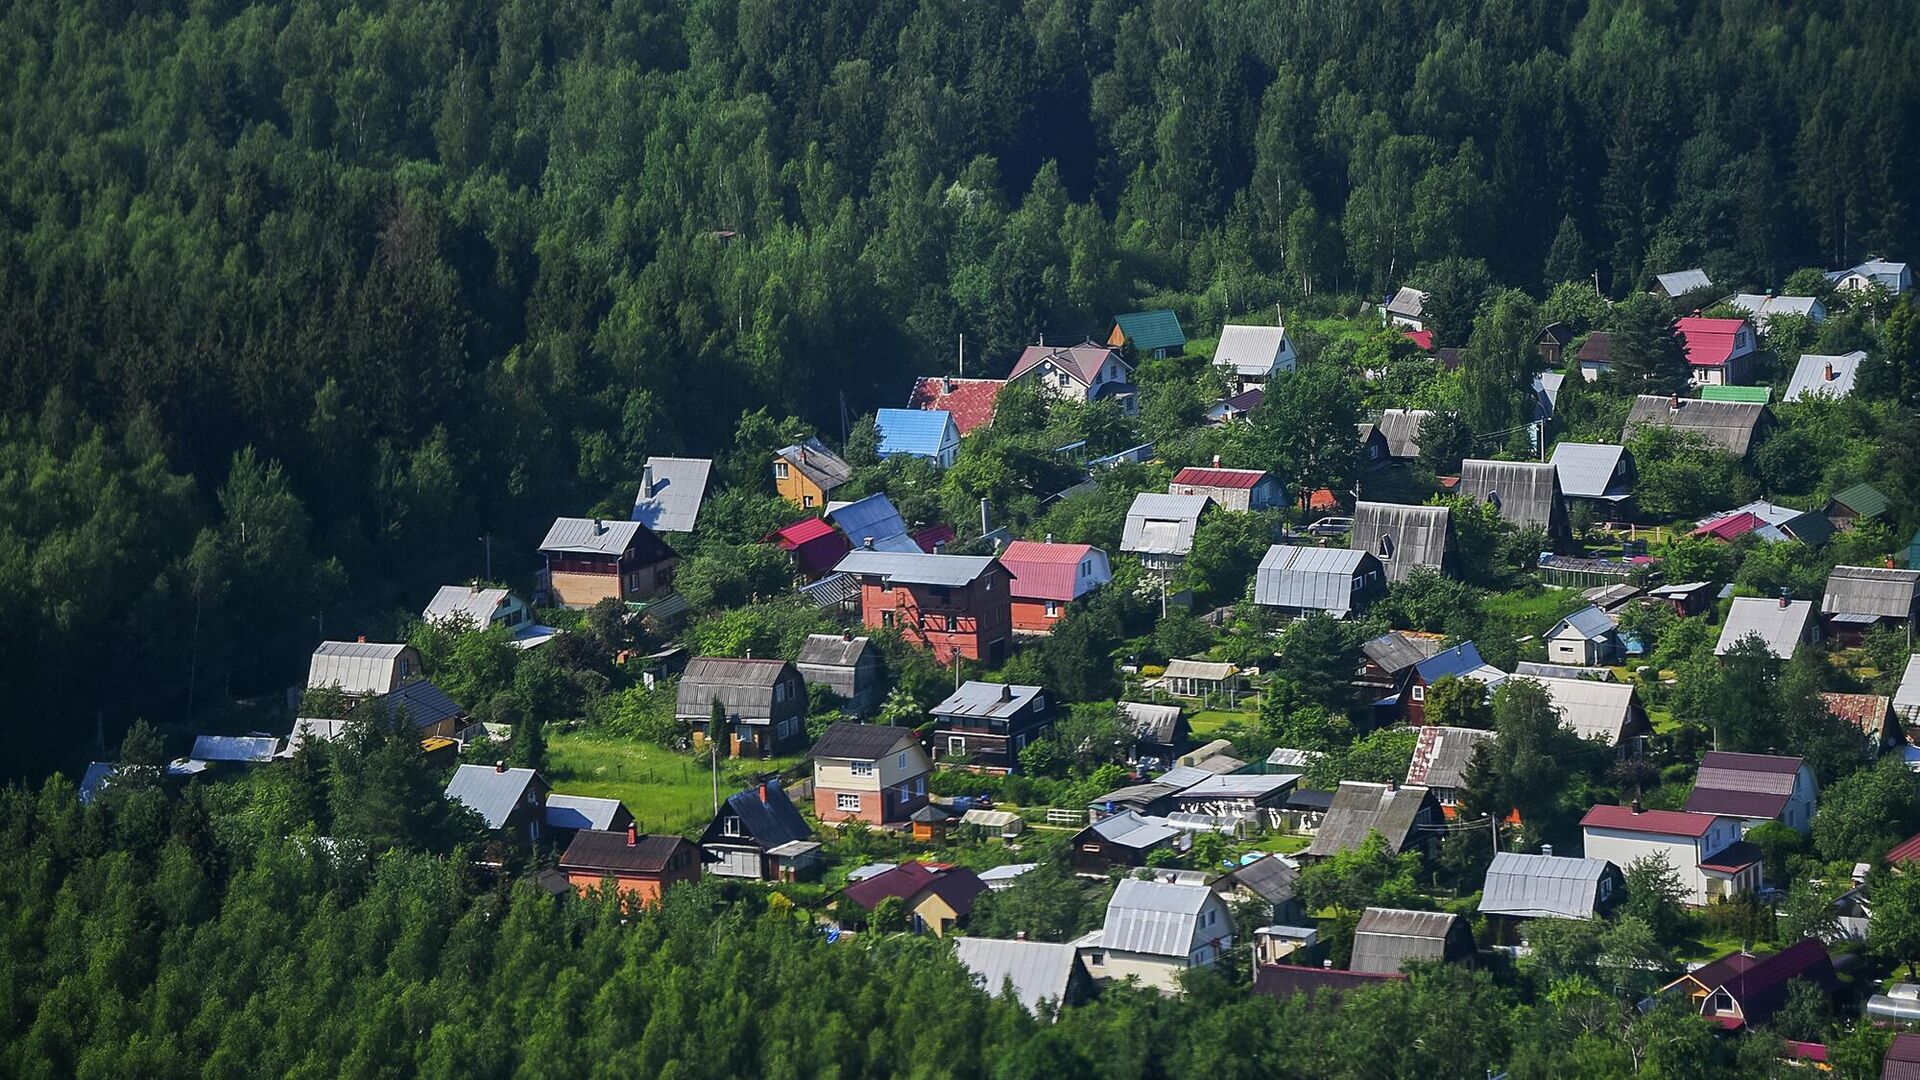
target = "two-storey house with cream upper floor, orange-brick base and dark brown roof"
x: 871, y: 773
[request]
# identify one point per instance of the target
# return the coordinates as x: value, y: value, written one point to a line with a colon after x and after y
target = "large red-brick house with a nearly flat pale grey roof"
x: 948, y: 604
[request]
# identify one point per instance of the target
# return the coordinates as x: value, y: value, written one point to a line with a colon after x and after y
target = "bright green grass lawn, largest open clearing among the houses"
x: 667, y: 791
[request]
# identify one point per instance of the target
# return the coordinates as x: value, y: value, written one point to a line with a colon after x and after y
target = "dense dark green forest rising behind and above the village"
x: 302, y: 301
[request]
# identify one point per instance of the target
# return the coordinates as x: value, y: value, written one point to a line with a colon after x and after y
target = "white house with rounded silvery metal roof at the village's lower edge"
x: 1155, y: 931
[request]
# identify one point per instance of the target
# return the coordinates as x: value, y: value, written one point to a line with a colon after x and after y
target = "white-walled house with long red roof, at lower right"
x: 1706, y: 850
